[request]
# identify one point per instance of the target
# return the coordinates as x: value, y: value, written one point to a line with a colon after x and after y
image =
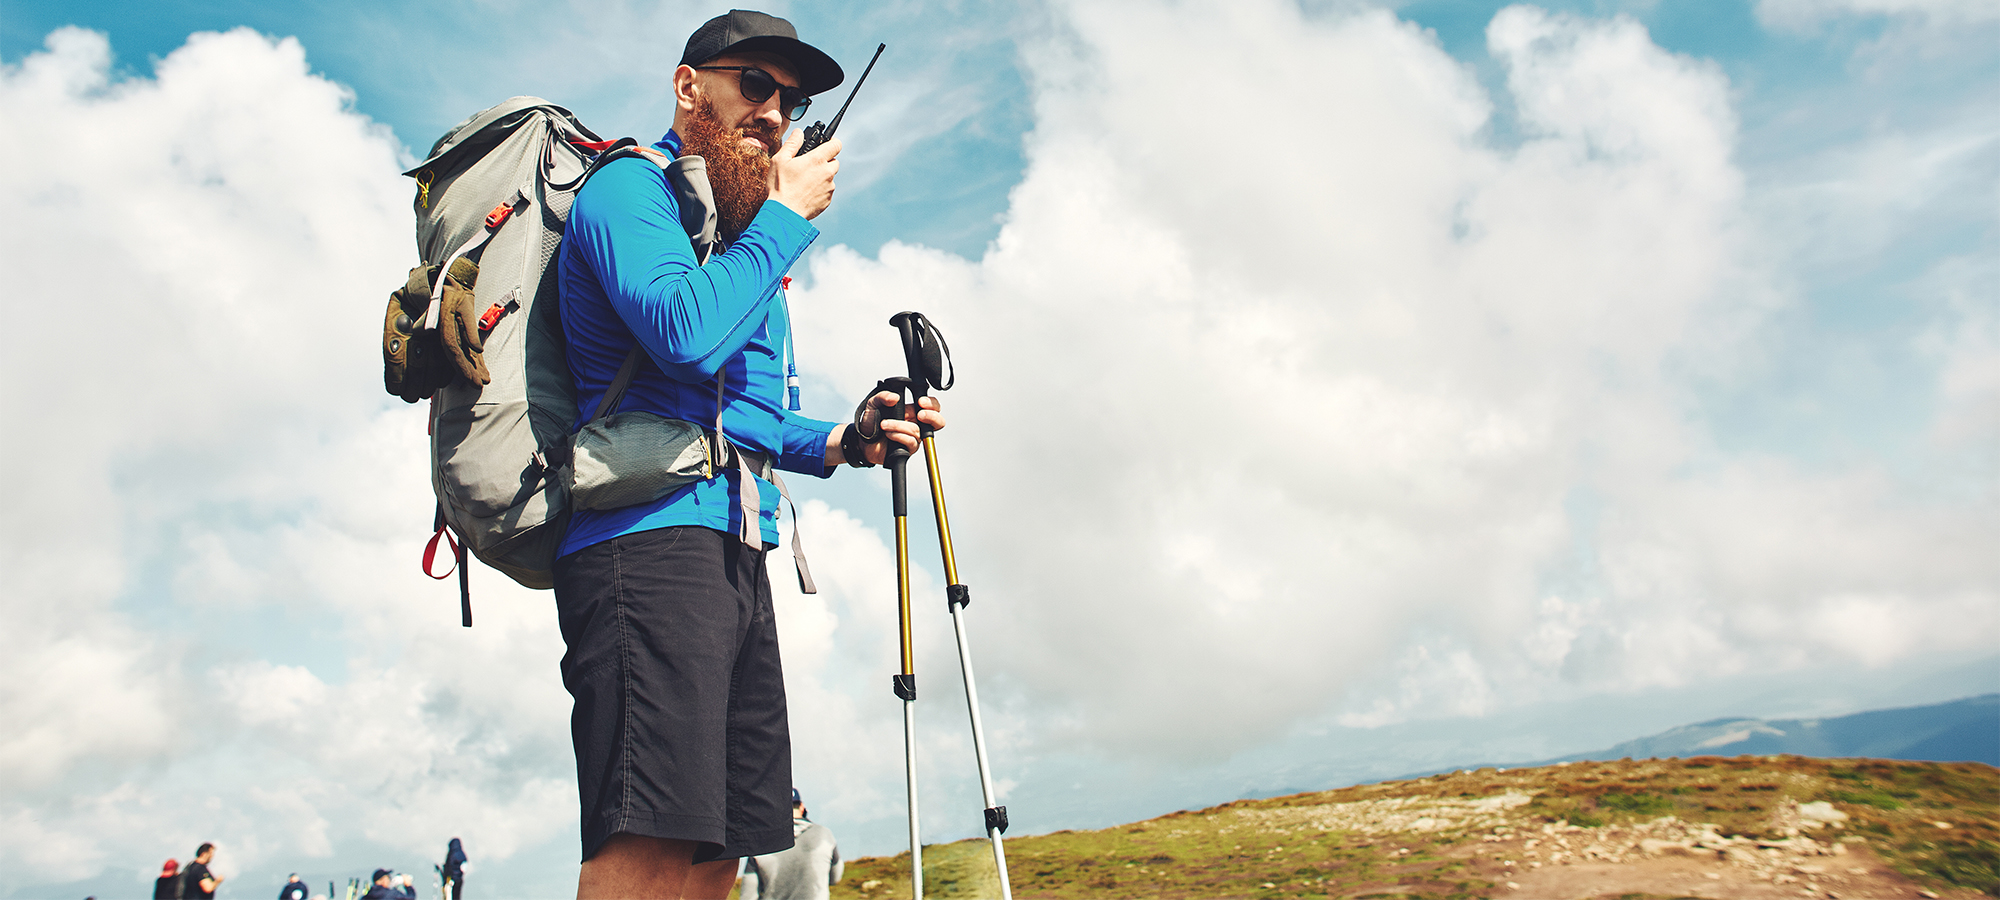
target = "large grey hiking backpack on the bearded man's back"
x: 477, y: 329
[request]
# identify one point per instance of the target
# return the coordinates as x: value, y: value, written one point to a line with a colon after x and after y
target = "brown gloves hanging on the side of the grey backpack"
x: 415, y: 361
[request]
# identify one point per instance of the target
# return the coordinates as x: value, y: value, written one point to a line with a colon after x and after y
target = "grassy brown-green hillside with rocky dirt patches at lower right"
x: 1737, y: 827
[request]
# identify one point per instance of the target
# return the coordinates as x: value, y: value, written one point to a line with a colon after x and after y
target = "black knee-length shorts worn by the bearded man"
x: 673, y: 659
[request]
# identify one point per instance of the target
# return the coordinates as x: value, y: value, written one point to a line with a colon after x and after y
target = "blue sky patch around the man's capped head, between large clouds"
x: 949, y: 197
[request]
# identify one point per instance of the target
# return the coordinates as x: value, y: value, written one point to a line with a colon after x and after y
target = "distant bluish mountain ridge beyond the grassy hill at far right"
x: 1959, y: 731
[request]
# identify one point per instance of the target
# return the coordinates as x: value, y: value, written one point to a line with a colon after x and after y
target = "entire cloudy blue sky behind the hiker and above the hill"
x: 1349, y: 389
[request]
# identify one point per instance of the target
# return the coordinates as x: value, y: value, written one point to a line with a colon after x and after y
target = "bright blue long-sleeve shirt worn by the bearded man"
x: 627, y: 275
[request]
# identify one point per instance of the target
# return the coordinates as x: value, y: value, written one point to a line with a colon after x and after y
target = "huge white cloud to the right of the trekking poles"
x: 1261, y: 407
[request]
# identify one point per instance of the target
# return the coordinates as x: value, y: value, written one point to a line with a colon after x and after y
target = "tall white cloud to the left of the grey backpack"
x: 191, y: 319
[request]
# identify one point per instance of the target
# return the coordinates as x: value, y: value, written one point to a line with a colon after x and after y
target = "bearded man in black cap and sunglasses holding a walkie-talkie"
x: 683, y: 747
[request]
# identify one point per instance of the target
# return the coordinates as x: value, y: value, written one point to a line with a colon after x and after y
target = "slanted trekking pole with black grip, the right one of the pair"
x: 927, y: 359
